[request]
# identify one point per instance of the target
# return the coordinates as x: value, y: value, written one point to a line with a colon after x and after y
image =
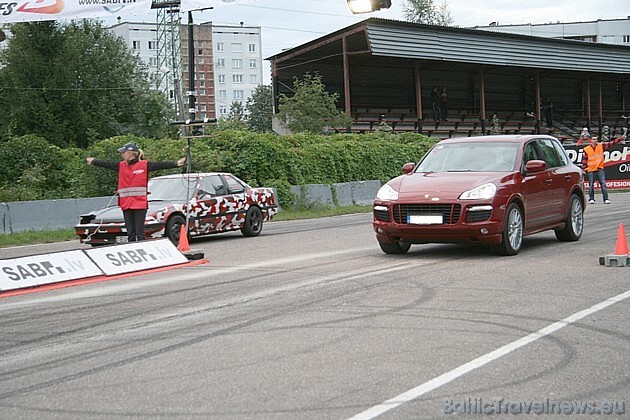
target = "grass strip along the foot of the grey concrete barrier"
x: 50, y: 236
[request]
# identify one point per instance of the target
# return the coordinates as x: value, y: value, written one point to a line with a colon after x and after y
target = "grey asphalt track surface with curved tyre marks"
x: 311, y: 320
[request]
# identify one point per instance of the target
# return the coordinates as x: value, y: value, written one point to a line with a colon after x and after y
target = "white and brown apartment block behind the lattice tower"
x: 227, y: 60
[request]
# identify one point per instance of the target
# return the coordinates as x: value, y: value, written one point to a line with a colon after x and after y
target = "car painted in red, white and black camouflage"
x: 217, y: 202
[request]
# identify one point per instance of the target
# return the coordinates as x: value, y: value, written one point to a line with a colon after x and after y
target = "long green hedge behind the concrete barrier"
x: 34, y: 169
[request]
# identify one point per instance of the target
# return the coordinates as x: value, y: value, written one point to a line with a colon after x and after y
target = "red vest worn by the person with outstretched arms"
x: 132, y: 185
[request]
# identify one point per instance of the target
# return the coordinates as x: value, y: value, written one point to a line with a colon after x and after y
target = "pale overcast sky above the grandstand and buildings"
x: 289, y: 23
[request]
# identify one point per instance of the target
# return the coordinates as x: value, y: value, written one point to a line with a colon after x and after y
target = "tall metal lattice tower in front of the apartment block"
x: 169, y: 53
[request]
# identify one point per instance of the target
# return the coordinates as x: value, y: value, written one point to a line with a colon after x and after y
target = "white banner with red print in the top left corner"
x: 38, y: 10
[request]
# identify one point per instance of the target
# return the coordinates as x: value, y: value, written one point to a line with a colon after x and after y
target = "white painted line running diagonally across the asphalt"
x: 462, y: 370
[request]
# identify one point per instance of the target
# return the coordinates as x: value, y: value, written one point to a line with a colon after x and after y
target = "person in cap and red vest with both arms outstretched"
x: 133, y: 177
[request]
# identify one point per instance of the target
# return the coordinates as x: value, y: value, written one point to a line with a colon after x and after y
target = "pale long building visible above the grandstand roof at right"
x: 611, y: 31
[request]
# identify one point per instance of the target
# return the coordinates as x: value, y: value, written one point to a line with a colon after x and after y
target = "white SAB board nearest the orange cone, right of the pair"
x: 135, y: 256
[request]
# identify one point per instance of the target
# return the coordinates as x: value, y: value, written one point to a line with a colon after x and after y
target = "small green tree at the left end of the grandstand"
x: 311, y: 108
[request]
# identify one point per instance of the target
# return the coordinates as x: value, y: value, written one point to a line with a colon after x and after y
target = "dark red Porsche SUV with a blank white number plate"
x: 489, y: 190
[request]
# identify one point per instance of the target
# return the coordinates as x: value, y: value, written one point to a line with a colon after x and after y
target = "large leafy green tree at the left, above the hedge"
x: 74, y: 84
